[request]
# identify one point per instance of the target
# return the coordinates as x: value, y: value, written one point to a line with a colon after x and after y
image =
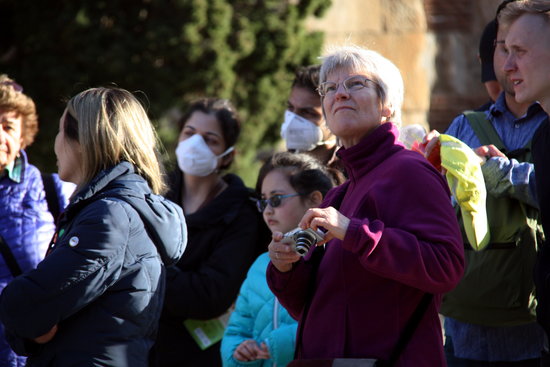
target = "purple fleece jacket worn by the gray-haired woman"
x: 403, y: 241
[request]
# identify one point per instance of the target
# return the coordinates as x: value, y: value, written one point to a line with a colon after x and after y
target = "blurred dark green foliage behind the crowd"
x: 170, y: 51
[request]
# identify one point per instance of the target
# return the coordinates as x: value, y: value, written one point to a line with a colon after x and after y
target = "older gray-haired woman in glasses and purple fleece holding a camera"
x: 392, y: 245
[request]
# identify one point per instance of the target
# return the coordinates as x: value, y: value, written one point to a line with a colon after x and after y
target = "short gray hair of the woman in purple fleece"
x: 378, y: 68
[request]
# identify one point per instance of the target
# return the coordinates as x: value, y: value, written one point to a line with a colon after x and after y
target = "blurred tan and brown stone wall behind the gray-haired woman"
x: 433, y: 42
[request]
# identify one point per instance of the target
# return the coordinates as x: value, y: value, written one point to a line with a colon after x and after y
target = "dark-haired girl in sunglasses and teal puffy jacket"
x: 260, y: 330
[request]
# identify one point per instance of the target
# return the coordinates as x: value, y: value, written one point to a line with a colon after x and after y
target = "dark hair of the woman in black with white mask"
x: 224, y: 112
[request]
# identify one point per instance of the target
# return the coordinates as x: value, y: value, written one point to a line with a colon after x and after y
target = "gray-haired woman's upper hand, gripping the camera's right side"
x: 334, y: 222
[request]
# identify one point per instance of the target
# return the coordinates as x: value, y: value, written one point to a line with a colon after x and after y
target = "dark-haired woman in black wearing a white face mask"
x: 223, y: 226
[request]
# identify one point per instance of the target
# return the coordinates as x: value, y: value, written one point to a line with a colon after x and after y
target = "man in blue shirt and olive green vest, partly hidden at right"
x: 490, y: 316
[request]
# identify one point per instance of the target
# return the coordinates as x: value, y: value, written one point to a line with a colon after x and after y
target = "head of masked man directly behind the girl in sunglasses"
x: 304, y: 128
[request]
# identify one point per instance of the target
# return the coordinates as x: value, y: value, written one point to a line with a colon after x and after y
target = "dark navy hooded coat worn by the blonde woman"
x: 103, y: 281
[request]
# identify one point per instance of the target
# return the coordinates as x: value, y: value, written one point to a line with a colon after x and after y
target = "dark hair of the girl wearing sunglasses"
x: 305, y: 173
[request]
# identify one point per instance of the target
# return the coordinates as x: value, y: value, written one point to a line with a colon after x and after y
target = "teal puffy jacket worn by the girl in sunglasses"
x: 259, y: 316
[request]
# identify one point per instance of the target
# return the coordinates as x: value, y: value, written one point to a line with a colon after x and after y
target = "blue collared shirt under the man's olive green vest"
x: 517, y: 179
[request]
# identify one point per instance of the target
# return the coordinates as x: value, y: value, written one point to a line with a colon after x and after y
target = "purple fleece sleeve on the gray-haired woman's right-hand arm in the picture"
x: 410, y: 235
